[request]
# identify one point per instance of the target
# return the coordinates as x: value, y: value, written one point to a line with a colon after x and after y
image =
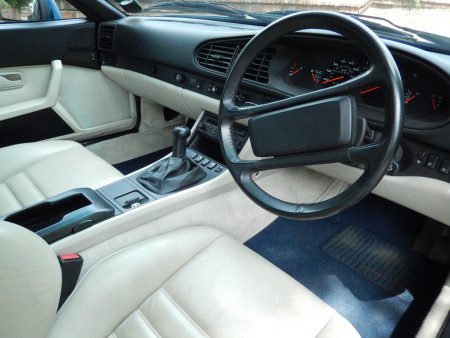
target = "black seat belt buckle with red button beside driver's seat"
x: 70, y: 269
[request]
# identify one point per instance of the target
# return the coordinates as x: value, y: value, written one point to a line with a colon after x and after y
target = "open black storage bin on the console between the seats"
x: 64, y: 214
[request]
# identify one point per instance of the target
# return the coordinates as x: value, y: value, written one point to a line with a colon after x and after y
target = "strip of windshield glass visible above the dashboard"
x: 432, y: 16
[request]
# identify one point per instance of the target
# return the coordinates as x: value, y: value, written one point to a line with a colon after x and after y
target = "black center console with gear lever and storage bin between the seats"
x: 78, y: 209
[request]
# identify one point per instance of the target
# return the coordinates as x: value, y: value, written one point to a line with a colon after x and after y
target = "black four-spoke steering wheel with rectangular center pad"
x: 317, y: 127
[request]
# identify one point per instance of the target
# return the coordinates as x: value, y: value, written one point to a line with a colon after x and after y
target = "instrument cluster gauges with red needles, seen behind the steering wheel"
x: 425, y: 92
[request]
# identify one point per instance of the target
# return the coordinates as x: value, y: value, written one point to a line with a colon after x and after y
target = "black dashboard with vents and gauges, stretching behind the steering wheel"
x: 295, y: 64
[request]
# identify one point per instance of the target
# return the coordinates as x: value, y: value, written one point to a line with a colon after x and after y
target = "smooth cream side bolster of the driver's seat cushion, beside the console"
x: 119, y: 284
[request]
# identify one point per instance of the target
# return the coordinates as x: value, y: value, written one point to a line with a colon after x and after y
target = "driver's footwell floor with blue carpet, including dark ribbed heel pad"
x: 342, y: 272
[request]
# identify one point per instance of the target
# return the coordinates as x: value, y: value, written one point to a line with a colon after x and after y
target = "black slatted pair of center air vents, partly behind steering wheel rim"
x: 220, y: 55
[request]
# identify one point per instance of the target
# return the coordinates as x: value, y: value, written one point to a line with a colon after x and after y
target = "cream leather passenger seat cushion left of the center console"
x: 31, y: 172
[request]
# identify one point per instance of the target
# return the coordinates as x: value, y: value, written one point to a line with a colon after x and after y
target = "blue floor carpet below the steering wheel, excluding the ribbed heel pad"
x: 295, y: 247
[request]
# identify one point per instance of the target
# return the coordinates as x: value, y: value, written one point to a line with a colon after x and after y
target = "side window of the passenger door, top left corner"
x: 37, y: 10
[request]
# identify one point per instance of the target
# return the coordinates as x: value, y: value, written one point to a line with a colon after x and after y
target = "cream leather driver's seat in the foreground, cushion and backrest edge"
x: 191, y: 282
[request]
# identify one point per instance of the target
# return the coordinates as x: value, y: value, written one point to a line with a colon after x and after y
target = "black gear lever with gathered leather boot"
x: 173, y: 173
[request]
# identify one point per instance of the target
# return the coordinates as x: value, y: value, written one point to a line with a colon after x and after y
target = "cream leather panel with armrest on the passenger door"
x: 87, y: 100
